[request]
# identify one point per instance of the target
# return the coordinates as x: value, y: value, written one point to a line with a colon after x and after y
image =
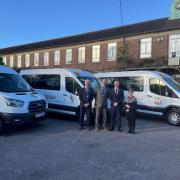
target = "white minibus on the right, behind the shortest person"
x: 157, y: 93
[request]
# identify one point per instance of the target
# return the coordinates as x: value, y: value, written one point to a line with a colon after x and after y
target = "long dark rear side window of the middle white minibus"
x: 48, y: 82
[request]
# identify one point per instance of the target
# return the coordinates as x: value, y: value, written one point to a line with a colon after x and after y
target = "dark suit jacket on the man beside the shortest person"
x: 119, y: 97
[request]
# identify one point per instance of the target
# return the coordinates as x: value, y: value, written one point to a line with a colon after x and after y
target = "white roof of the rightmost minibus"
x: 132, y: 73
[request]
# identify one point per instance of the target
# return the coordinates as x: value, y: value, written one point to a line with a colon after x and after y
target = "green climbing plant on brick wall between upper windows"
x: 123, y: 54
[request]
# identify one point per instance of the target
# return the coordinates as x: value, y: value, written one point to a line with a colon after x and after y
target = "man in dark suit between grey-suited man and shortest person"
x: 116, y: 98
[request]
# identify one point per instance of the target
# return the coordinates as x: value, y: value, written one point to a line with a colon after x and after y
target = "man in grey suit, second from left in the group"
x: 101, y: 96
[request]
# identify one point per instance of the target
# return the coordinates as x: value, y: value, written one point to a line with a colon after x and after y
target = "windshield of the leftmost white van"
x: 13, y: 83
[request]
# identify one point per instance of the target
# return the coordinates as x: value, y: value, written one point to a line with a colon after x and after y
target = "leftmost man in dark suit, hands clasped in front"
x: 86, y: 97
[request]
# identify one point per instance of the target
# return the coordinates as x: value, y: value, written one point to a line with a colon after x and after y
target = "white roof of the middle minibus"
x: 55, y: 70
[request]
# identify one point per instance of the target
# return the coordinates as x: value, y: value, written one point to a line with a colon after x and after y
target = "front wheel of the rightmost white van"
x: 173, y: 117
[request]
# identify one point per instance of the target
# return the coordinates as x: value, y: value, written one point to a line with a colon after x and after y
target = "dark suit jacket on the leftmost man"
x: 86, y: 96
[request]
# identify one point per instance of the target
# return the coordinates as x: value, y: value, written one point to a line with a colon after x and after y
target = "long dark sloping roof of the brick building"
x: 158, y: 25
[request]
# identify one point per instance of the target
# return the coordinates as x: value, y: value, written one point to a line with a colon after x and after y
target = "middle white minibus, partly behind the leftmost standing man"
x: 60, y: 87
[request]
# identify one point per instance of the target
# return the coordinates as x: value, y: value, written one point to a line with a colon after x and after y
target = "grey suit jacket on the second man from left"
x: 101, y: 96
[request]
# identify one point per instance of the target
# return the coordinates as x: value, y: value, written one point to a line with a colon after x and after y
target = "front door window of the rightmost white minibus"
x: 158, y: 87
